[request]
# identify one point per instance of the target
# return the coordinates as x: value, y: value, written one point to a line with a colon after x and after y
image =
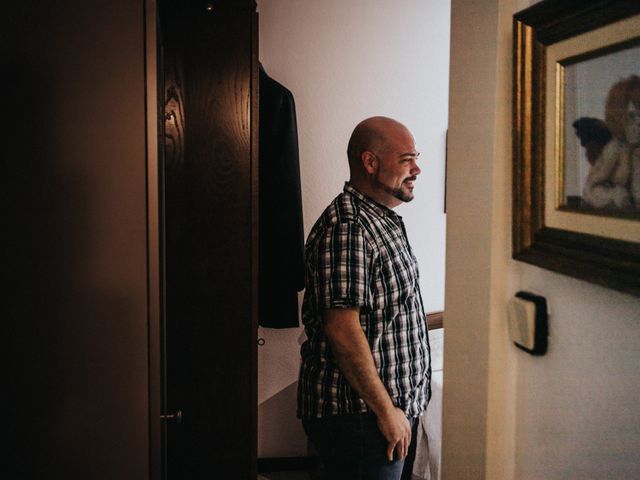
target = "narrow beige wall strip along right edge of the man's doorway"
x: 470, y: 217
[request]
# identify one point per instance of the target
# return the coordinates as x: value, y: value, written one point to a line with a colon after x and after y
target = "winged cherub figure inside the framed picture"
x: 613, y: 149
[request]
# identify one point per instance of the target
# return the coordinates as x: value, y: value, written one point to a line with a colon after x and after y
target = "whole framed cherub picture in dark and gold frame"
x: 576, y: 140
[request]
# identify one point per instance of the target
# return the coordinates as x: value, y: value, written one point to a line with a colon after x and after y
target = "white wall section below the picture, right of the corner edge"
x: 577, y: 407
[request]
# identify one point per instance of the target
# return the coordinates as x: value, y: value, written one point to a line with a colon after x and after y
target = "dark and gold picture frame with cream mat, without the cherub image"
x: 600, y: 245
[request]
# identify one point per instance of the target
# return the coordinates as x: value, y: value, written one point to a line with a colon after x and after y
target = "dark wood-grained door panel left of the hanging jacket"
x: 209, y: 70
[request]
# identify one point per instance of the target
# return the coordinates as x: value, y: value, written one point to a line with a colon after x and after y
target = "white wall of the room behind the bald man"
x: 345, y: 61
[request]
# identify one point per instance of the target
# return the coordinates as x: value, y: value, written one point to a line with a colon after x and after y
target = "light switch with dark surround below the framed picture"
x: 528, y: 322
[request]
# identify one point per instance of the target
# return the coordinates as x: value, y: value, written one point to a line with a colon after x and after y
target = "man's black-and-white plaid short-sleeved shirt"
x: 358, y: 255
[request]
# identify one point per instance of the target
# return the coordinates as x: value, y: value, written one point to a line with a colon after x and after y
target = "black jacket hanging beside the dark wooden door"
x: 281, y: 266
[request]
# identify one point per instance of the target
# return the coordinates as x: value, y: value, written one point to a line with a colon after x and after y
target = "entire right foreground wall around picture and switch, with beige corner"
x: 571, y: 414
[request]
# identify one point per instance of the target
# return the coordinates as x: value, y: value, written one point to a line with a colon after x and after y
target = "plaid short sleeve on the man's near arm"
x: 343, y: 268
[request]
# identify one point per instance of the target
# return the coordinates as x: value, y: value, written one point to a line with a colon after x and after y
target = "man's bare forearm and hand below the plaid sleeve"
x: 351, y: 349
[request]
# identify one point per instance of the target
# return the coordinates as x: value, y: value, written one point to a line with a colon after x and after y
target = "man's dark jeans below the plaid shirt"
x: 352, y: 447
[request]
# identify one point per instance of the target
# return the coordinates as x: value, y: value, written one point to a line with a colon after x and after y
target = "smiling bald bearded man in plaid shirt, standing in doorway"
x: 365, y: 370
